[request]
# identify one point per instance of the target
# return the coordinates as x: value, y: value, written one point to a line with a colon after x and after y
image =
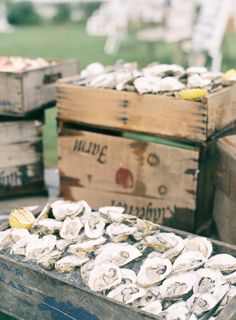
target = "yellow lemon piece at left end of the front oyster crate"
x: 21, y: 218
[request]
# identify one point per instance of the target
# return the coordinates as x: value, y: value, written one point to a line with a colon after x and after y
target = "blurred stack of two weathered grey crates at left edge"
x: 23, y: 97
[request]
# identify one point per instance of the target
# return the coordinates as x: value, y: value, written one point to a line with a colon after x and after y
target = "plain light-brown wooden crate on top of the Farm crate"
x: 150, y: 114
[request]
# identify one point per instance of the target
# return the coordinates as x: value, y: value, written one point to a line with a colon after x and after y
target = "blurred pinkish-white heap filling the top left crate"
x: 19, y: 64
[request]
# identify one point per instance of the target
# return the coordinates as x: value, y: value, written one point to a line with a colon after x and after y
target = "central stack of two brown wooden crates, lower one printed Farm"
x: 103, y: 160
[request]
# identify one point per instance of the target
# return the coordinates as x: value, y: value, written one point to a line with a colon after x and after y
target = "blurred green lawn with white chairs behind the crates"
x: 178, y: 31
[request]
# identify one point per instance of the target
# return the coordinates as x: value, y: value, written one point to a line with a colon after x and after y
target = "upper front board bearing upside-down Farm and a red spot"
x: 129, y: 167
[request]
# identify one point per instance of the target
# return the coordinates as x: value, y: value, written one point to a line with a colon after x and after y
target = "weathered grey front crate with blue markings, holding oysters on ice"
x: 27, y: 289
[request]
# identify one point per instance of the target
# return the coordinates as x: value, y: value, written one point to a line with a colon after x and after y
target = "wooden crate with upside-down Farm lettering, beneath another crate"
x: 153, y: 180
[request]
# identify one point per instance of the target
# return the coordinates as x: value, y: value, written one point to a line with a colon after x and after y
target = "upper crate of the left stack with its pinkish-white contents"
x: 28, y: 84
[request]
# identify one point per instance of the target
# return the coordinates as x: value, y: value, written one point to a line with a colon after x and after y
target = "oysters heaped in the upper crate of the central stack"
x: 165, y: 79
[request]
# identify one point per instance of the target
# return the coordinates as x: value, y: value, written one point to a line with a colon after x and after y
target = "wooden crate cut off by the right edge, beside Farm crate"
x: 225, y: 195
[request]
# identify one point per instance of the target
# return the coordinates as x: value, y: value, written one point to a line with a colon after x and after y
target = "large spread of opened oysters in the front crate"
x: 128, y: 259
